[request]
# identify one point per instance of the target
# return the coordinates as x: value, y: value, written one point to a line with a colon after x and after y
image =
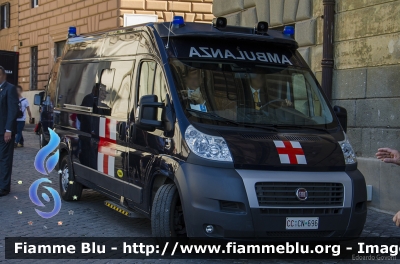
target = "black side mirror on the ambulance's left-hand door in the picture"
x: 146, y: 114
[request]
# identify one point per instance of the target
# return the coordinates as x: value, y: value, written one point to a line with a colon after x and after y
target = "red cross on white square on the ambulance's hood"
x: 290, y: 152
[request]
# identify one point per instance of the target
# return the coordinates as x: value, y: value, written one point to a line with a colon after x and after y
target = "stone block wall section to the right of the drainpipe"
x: 367, y: 83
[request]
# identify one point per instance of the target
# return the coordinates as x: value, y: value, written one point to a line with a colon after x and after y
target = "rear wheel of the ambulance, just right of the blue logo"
x: 69, y: 192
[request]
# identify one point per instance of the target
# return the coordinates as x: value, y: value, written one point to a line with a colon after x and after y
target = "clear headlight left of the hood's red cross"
x: 206, y: 146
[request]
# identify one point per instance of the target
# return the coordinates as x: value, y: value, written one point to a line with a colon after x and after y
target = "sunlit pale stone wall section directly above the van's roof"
x: 191, y: 10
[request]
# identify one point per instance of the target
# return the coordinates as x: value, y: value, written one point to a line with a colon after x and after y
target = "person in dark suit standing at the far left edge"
x: 8, y: 127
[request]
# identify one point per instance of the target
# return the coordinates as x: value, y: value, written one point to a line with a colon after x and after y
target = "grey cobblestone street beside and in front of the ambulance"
x: 91, y: 218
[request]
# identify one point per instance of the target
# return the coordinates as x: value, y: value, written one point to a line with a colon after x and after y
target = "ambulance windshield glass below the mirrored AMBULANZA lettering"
x: 246, y: 93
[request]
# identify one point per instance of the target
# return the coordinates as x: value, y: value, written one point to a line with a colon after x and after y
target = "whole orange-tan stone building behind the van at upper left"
x: 38, y: 28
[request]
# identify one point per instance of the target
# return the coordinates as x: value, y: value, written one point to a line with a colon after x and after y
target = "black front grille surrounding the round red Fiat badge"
x: 283, y: 194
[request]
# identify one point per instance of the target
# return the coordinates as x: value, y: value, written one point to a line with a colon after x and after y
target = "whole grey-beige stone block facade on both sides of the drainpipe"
x: 366, y: 77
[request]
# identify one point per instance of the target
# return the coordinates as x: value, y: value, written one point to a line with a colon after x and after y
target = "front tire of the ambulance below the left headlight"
x: 167, y: 213
